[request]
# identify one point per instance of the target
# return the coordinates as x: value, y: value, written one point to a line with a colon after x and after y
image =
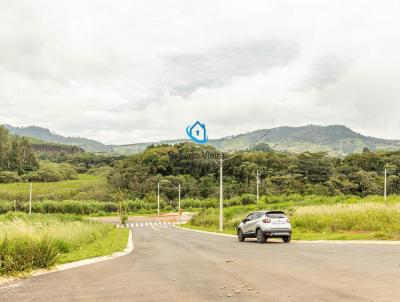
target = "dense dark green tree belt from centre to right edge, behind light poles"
x: 196, y: 168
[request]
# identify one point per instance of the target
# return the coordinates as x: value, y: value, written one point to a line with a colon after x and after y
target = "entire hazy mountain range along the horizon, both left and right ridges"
x: 334, y: 139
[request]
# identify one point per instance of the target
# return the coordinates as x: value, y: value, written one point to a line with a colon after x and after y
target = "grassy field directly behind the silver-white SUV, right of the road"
x: 341, y: 221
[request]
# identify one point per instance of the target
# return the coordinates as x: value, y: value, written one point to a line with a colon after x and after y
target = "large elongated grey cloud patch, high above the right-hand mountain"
x: 215, y: 67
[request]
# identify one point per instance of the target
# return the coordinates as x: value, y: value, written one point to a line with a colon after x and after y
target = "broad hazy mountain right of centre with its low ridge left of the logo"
x: 334, y: 139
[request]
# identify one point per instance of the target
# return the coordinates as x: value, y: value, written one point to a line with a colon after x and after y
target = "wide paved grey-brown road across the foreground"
x: 171, y: 264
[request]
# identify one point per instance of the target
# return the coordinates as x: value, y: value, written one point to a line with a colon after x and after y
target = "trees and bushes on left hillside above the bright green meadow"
x: 26, y: 159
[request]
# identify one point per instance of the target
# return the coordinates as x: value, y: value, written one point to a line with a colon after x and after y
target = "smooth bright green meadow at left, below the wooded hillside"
x: 85, y: 187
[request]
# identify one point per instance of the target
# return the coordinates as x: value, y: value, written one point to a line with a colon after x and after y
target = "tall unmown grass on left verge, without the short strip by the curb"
x: 35, y: 241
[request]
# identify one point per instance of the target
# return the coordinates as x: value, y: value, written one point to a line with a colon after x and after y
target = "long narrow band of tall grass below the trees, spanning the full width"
x: 88, y: 207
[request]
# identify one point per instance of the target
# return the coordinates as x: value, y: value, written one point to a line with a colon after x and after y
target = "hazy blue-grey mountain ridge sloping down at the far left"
x: 45, y: 135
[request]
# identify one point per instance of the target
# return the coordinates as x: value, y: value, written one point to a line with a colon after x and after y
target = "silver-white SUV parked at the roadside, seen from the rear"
x: 263, y: 225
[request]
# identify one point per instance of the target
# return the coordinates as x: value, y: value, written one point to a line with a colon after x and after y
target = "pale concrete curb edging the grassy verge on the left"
x: 62, y: 267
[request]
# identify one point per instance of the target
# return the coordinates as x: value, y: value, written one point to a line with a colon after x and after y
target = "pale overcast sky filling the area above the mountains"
x: 136, y: 71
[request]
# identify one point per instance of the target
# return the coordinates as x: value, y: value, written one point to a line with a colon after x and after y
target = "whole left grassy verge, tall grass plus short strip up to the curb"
x: 29, y: 242
